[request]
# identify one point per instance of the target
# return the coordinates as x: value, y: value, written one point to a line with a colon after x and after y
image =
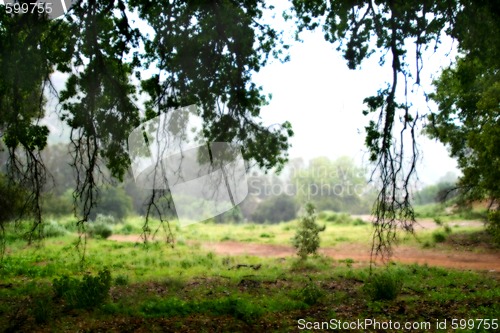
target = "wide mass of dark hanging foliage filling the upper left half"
x: 203, y: 54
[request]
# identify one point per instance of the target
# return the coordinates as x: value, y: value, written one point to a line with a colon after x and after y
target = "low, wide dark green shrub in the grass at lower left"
x: 91, y: 291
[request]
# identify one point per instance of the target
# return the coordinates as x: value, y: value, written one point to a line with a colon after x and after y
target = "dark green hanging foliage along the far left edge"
x: 30, y: 49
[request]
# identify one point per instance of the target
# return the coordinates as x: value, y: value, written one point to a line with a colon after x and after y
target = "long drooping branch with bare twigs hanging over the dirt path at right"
x: 356, y: 27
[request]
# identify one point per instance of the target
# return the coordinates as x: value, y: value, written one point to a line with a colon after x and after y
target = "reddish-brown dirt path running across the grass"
x: 358, y: 252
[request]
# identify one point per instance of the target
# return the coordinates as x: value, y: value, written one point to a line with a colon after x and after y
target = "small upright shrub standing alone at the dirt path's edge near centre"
x: 306, y: 239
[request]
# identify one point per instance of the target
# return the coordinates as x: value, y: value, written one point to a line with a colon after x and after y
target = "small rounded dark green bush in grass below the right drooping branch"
x: 384, y: 286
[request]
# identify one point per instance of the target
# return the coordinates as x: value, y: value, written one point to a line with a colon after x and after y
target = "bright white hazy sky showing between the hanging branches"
x: 322, y: 99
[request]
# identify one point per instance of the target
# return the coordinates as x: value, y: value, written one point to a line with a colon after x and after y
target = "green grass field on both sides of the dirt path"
x: 190, y: 289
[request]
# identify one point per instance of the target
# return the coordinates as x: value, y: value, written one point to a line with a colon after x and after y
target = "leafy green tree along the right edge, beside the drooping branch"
x: 468, y: 99
